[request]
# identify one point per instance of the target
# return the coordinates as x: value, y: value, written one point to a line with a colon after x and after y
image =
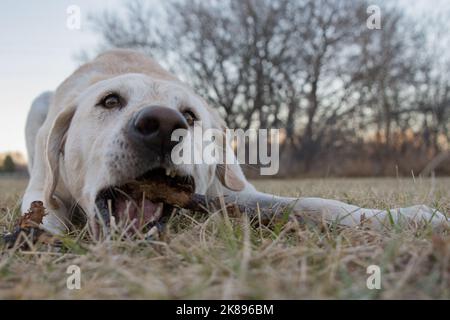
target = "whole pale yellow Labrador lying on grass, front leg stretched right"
x: 110, y: 123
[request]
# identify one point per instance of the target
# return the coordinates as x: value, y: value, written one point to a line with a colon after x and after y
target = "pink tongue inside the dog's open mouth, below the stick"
x: 141, y: 213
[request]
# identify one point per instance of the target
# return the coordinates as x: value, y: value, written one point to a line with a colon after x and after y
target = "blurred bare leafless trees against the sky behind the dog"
x: 309, y: 67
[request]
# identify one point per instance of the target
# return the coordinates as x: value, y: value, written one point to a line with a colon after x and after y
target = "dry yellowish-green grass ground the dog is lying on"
x: 220, y: 257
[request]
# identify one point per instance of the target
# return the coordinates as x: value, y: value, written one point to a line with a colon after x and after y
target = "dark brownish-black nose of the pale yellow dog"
x: 152, y: 127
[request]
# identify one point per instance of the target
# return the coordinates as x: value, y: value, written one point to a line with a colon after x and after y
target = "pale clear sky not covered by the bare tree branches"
x: 37, y: 52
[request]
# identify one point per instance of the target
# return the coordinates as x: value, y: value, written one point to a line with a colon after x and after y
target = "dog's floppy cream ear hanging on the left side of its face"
x: 54, y: 148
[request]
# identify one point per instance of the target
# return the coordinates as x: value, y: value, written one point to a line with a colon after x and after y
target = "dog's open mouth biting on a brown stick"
x: 138, y: 203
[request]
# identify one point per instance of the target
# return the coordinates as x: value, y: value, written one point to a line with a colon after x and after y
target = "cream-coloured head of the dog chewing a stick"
x: 119, y: 131
